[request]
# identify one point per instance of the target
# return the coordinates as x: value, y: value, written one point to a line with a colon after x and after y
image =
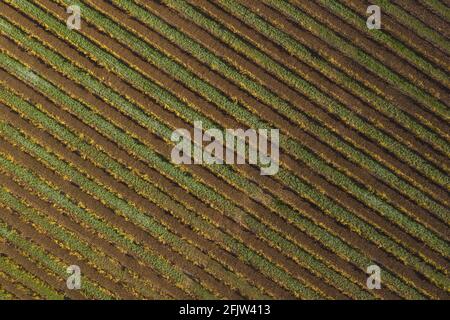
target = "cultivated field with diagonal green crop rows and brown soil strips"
x: 86, y: 177
